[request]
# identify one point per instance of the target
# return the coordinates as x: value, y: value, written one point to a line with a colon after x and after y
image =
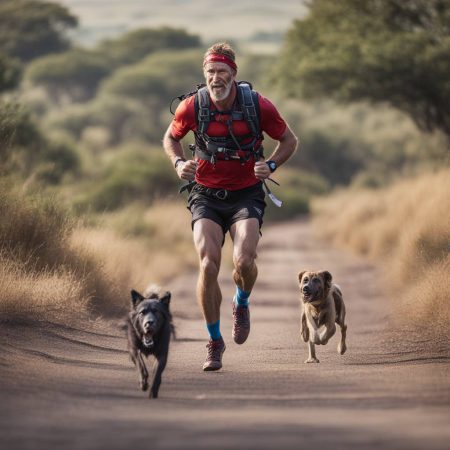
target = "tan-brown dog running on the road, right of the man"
x: 323, y: 306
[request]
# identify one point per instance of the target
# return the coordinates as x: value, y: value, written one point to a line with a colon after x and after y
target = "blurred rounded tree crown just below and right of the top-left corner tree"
x: 74, y: 74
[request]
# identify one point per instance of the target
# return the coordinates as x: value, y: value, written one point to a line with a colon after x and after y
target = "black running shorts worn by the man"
x: 226, y: 207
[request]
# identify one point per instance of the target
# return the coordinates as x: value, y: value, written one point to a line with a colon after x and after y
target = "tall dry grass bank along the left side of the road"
x: 54, y: 269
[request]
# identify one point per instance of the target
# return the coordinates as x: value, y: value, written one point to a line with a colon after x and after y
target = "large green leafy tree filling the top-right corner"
x: 391, y: 51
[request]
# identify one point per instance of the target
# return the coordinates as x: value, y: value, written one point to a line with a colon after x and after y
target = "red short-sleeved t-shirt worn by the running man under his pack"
x: 232, y: 174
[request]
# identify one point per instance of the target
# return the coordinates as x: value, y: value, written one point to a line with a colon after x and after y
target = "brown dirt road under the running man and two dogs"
x: 74, y: 388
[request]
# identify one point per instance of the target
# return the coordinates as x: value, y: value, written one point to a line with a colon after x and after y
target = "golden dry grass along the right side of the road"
x: 407, y: 228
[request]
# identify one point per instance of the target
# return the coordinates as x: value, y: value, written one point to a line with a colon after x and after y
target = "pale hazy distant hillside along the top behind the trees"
x: 240, y: 20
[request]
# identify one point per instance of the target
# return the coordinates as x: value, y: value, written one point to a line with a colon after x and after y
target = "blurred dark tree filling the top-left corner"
x: 29, y: 29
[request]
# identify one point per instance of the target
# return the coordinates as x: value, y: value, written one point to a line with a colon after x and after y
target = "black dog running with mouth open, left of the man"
x: 149, y: 326
